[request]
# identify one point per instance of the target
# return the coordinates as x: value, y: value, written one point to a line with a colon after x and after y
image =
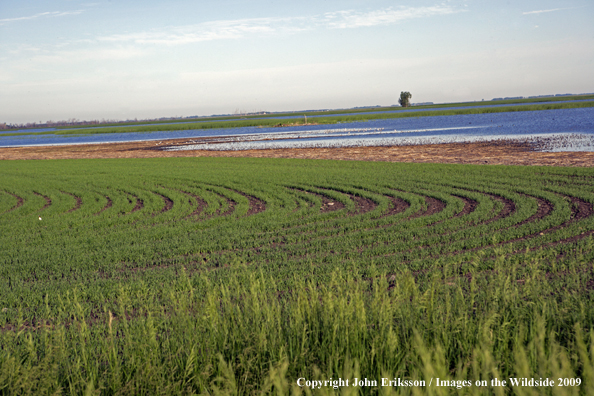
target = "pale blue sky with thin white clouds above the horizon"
x: 126, y: 59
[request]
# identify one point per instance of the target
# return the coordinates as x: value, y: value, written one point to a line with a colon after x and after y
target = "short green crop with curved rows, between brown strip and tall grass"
x: 103, y: 226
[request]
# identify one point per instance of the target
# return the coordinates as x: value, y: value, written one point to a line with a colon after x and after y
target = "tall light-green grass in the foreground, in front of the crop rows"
x: 253, y: 334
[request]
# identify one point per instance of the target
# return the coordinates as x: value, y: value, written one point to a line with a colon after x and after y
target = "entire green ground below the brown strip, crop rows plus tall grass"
x: 241, y: 276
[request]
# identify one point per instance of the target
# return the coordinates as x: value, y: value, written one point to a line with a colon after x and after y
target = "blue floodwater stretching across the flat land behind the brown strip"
x: 549, y: 130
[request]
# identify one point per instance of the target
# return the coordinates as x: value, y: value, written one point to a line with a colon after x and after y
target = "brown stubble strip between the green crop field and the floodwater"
x: 494, y: 153
